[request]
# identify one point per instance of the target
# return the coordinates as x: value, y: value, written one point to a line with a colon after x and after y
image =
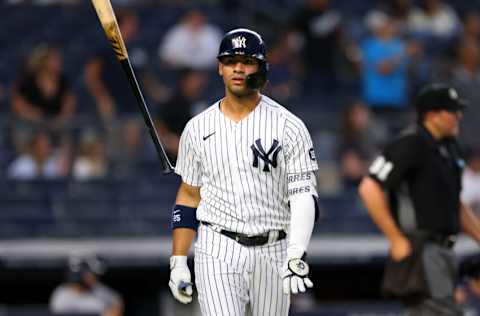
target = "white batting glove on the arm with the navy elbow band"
x: 180, y: 279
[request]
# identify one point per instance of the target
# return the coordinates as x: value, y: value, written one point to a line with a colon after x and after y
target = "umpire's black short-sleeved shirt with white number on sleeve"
x: 429, y: 171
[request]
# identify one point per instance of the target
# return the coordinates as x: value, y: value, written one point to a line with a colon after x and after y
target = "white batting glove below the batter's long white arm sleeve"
x: 295, y: 275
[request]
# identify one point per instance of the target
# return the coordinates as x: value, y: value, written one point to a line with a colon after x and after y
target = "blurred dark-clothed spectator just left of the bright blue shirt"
x: 320, y: 28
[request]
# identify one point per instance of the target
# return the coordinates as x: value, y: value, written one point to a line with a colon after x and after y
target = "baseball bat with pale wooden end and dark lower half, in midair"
x: 109, y: 23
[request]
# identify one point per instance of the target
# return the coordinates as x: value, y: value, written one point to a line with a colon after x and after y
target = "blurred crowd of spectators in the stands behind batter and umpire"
x: 370, y: 64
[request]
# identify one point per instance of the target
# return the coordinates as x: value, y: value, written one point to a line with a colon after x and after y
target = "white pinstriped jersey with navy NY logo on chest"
x: 242, y: 166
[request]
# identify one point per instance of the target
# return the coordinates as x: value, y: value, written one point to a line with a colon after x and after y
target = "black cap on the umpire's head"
x: 439, y: 96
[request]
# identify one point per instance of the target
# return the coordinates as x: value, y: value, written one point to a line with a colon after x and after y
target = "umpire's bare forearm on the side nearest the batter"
x: 374, y: 199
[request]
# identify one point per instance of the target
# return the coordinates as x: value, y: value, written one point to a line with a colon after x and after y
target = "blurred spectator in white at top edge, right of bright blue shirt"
x: 434, y: 18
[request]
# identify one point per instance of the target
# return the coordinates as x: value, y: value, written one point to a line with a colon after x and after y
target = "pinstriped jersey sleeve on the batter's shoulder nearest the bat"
x: 189, y: 165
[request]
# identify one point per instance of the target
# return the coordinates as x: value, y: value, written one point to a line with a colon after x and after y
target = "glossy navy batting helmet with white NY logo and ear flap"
x: 249, y: 43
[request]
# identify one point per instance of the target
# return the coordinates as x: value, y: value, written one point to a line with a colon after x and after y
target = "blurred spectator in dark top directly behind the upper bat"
x: 105, y: 80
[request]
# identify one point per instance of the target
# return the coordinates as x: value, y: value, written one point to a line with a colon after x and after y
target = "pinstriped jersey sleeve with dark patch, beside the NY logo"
x: 299, y: 155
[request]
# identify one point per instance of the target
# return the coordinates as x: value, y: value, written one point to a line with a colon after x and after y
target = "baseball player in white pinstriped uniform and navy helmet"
x: 248, y: 185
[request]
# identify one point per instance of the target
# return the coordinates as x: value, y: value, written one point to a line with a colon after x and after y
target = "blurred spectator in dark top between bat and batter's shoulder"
x: 176, y: 112
